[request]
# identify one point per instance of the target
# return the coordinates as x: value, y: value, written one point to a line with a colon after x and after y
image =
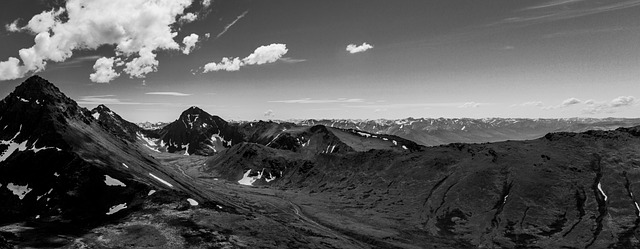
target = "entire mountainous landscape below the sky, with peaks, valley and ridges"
x: 77, y: 178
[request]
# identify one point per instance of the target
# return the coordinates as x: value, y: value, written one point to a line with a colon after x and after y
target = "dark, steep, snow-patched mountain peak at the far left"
x: 58, y: 162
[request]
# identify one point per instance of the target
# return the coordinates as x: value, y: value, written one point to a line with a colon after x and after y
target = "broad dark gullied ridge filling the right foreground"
x: 574, y: 190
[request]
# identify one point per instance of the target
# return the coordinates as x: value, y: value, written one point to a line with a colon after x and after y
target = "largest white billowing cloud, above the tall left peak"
x: 136, y: 29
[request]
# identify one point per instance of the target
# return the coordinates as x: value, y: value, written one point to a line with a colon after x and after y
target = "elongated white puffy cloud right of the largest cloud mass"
x: 262, y: 55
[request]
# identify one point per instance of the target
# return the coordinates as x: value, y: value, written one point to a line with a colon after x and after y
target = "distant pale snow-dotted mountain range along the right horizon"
x: 438, y: 131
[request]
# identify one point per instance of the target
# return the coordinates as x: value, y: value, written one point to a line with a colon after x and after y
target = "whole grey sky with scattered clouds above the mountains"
x: 148, y: 60
